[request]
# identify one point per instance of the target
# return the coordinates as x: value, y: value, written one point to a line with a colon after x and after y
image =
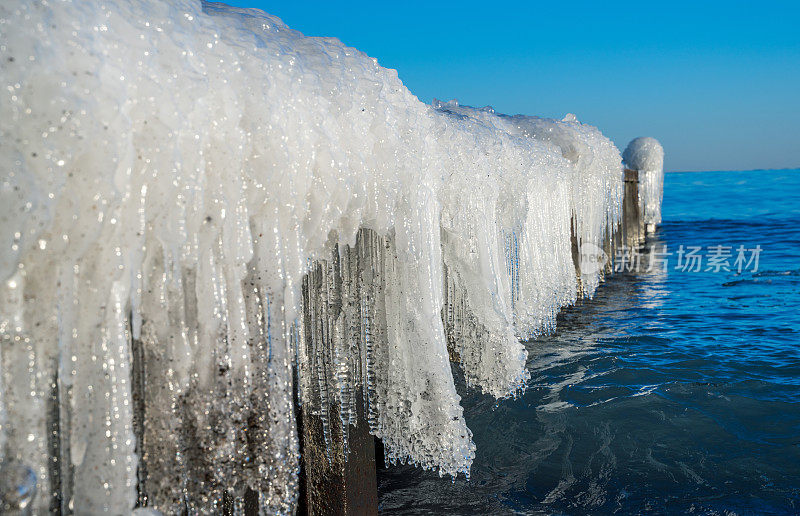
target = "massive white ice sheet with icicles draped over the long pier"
x: 178, y: 177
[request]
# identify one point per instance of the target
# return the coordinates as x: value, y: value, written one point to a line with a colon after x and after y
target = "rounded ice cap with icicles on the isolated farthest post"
x: 646, y: 155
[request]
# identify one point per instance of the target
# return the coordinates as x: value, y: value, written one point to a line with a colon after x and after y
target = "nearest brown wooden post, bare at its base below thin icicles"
x: 338, y: 458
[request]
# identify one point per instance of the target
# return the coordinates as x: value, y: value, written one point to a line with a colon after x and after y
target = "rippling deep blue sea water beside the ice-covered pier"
x: 671, y: 391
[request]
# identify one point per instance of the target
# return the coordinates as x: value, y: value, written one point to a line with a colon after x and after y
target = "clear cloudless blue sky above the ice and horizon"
x: 717, y: 82
